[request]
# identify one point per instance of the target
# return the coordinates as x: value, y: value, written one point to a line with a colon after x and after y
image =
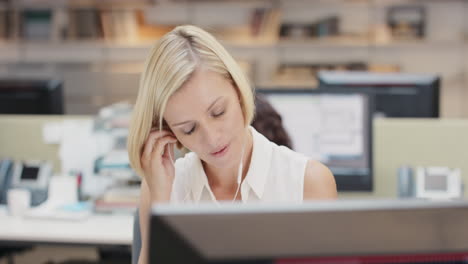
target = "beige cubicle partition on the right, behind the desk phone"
x: 414, y: 142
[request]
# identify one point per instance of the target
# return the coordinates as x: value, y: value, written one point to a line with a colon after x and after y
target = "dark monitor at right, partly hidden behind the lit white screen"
x: 396, y: 94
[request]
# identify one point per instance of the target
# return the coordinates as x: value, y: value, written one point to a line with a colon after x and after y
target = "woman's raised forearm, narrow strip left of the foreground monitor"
x: 145, y: 207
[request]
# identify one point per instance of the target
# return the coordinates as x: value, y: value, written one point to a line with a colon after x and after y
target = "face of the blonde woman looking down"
x: 206, y: 117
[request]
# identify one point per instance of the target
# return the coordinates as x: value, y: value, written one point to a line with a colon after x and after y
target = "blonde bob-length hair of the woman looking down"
x: 170, y: 64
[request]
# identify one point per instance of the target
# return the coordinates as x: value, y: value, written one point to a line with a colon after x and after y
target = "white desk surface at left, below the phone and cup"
x: 95, y: 230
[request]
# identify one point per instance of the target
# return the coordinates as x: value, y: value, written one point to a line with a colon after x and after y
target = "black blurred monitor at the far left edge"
x: 20, y: 96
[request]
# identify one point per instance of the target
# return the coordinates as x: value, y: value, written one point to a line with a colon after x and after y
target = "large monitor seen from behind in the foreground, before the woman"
x: 343, y: 231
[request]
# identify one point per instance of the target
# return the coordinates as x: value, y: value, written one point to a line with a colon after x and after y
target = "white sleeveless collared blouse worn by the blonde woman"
x: 276, y: 174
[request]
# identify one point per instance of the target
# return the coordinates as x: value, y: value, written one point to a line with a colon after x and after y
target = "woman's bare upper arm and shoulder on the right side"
x: 319, y: 182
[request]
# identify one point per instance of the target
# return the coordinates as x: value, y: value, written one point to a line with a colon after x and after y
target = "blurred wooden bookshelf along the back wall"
x: 106, y: 32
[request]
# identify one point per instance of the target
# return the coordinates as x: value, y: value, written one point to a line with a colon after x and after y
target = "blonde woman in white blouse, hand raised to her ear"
x: 193, y: 94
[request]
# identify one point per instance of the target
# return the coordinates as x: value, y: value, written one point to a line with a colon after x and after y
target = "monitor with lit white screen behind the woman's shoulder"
x: 334, y: 127
